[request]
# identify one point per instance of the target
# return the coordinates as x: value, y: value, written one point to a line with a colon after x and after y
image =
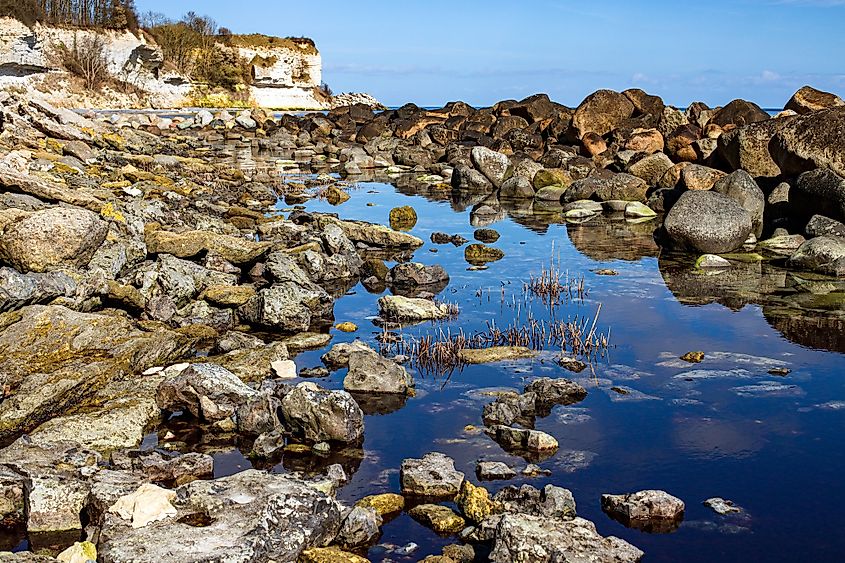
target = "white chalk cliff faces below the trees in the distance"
x: 286, y: 73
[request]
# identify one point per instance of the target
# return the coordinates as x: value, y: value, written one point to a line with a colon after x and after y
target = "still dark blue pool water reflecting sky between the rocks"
x: 722, y: 428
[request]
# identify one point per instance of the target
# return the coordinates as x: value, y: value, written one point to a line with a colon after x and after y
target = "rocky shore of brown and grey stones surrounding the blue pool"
x: 144, y: 279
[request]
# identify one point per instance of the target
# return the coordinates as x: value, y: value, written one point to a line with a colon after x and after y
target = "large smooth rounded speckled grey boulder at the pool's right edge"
x: 708, y: 222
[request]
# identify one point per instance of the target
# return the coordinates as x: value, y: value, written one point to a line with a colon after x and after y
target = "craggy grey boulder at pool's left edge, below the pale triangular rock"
x: 319, y: 415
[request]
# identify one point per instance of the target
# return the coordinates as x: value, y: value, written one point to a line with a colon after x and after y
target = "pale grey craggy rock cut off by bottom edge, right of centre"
x: 535, y: 539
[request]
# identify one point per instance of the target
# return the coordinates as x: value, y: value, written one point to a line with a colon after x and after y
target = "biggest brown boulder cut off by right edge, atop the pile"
x: 816, y: 140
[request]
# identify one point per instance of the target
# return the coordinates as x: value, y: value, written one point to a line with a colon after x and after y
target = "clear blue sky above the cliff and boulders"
x: 430, y: 52
